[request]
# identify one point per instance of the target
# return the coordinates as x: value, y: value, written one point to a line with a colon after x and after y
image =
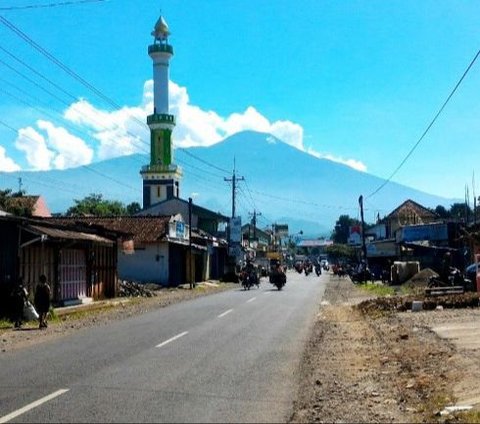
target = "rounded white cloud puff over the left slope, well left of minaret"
x: 54, y: 148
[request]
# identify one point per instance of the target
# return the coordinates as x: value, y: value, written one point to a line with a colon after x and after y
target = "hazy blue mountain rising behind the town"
x: 279, y: 182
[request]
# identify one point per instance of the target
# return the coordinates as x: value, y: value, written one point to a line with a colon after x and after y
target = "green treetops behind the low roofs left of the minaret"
x: 95, y: 205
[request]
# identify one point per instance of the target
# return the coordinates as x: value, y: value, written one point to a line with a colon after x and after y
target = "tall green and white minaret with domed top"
x: 161, y: 177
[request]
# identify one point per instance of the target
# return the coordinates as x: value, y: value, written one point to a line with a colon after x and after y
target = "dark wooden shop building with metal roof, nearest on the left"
x: 80, y: 264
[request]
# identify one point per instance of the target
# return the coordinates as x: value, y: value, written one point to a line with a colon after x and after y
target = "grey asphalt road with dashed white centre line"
x: 228, y: 357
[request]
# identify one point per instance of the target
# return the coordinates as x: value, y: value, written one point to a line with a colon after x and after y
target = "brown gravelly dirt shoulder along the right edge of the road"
x: 379, y: 367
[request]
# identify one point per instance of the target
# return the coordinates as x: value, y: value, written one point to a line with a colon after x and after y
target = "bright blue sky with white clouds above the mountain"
x: 357, y: 82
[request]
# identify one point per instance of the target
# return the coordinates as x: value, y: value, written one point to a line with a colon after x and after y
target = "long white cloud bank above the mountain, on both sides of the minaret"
x: 124, y: 131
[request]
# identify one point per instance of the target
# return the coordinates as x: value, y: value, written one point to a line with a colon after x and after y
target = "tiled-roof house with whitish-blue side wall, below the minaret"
x: 157, y: 249
